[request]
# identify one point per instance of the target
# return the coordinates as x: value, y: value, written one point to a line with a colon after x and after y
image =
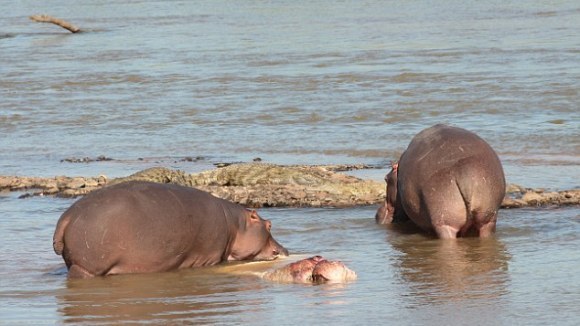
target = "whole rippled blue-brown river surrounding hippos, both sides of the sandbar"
x: 308, y: 82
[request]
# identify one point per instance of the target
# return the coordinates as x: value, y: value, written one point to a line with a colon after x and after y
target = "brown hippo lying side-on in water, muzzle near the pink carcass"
x: 140, y: 227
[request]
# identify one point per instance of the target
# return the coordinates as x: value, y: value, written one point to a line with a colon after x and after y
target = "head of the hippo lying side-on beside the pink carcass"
x: 253, y: 240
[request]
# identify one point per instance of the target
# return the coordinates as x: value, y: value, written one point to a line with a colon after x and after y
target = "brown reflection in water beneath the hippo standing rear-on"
x: 439, y: 271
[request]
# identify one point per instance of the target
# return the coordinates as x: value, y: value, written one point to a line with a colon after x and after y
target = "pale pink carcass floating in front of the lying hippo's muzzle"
x: 315, y: 269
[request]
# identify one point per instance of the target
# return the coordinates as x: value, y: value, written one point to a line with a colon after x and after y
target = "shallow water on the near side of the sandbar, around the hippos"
x: 527, y: 273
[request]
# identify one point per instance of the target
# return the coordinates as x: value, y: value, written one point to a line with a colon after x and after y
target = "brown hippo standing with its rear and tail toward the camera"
x: 448, y: 181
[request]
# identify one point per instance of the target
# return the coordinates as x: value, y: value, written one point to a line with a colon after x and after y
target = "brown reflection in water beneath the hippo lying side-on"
x: 194, y: 294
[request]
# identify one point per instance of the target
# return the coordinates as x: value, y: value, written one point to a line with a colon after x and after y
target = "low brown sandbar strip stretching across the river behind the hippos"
x: 268, y: 185
